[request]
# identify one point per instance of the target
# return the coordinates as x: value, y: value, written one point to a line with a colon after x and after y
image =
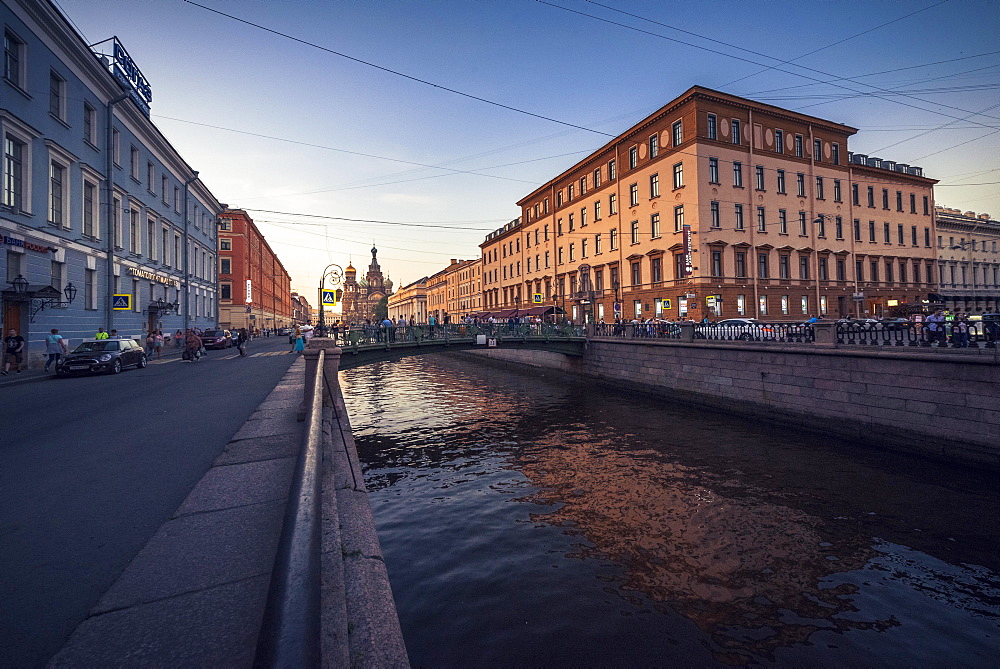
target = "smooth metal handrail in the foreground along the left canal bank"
x: 290, y: 631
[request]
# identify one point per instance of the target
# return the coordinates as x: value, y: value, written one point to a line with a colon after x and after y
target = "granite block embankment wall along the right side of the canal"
x: 943, y: 404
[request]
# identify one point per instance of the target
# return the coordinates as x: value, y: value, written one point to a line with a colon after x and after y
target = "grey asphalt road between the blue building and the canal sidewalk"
x: 90, y: 467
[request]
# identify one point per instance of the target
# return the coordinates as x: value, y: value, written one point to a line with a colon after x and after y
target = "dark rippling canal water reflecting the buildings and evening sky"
x: 528, y: 519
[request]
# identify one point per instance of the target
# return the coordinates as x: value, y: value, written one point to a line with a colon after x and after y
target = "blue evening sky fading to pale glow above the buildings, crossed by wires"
x: 425, y: 121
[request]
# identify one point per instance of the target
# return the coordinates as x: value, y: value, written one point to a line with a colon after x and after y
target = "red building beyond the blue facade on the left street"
x: 254, y: 288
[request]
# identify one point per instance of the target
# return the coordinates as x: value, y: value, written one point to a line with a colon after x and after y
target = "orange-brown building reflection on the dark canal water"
x: 734, y: 564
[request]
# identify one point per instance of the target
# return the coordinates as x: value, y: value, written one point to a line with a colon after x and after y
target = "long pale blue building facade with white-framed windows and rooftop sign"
x: 96, y: 204
